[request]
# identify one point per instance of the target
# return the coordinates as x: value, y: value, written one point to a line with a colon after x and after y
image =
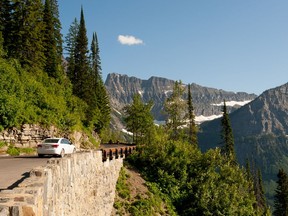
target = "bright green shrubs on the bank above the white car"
x: 28, y: 98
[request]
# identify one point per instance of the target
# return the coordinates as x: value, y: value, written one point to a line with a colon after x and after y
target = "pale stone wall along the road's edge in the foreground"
x: 78, y: 185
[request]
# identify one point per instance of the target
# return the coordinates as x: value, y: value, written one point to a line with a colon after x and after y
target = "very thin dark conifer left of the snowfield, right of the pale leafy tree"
x: 192, y: 126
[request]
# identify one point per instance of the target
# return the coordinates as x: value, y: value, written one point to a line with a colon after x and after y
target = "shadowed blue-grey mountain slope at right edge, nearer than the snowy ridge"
x: 260, y: 131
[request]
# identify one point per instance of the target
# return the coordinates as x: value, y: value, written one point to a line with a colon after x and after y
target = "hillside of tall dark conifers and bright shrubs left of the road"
x: 36, y: 86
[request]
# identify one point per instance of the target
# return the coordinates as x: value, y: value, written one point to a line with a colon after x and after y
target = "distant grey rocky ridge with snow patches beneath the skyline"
x: 121, y: 89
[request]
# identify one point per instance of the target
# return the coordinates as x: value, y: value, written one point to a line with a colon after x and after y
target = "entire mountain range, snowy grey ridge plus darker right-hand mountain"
x: 259, y: 123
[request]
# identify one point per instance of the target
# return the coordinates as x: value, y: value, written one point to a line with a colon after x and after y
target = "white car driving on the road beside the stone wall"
x: 55, y: 146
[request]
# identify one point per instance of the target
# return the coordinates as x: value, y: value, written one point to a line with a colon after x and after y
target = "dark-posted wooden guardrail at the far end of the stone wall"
x: 111, y: 150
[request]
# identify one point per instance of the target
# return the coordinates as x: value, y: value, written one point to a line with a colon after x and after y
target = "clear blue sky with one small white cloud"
x: 234, y: 45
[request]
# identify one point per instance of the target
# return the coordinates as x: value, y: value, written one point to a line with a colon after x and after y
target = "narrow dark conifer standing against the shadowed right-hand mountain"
x: 227, y: 136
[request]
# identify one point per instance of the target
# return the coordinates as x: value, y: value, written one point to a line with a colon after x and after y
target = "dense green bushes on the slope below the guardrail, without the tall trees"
x: 196, y: 183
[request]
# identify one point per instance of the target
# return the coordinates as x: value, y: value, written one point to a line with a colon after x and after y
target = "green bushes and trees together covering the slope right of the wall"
x: 194, y: 183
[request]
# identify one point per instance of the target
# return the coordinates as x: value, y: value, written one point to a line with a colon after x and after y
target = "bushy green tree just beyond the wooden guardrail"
x: 138, y: 118
